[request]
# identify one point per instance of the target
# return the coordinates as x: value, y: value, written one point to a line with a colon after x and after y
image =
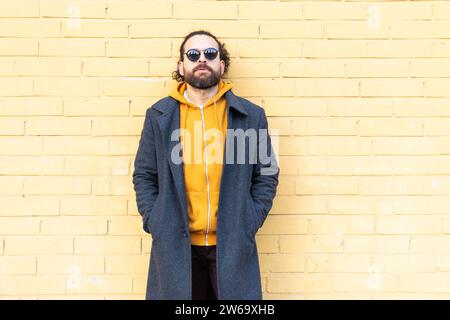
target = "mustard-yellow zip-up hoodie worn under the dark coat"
x: 202, y: 176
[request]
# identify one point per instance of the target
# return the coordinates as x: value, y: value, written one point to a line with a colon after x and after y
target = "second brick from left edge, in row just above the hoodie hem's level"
x: 74, y: 226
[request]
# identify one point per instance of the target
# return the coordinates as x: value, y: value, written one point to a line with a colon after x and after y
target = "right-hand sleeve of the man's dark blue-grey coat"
x: 265, y: 172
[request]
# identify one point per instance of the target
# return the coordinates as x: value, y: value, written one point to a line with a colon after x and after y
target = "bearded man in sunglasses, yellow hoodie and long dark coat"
x: 203, y: 199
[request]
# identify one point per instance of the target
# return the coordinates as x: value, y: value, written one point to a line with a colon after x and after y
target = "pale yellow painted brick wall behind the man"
x: 358, y: 91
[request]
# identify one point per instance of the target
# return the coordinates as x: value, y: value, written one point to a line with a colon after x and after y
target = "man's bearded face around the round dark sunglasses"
x: 203, y: 73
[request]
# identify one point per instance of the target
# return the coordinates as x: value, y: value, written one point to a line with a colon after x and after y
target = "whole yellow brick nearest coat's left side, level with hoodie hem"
x: 108, y: 245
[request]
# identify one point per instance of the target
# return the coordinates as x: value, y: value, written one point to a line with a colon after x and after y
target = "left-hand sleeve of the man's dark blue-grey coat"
x: 145, y: 175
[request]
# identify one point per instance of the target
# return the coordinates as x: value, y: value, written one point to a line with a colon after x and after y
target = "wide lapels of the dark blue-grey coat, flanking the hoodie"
x: 169, y: 121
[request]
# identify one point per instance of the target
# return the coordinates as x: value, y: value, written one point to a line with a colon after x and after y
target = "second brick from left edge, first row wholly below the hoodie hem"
x: 70, y: 265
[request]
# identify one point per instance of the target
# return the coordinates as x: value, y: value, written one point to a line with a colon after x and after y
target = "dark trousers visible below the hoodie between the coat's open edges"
x: 204, y: 279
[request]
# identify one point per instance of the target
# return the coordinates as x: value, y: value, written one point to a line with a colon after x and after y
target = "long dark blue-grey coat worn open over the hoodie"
x: 246, y: 196
